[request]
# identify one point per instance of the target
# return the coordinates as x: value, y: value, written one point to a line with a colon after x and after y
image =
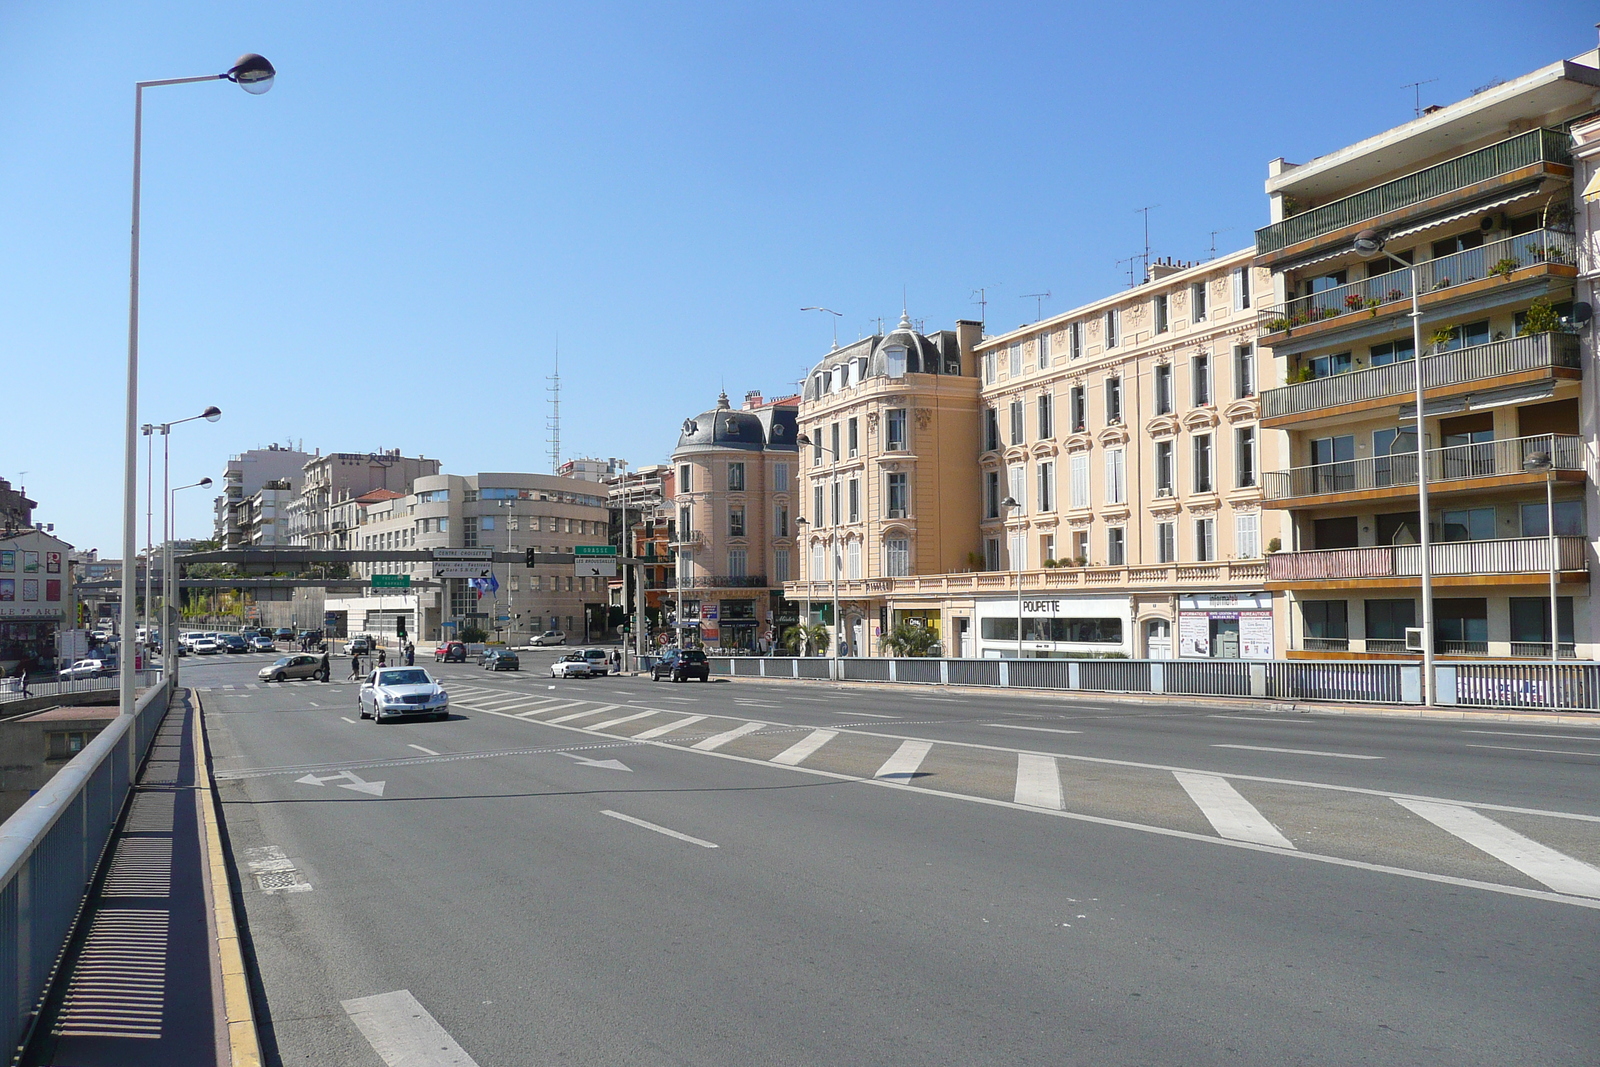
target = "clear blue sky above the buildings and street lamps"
x: 385, y: 249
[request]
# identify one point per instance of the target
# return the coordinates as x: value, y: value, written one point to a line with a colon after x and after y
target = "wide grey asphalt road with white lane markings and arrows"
x: 818, y: 874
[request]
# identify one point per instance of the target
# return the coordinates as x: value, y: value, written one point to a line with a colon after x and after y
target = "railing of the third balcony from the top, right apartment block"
x: 1479, y: 362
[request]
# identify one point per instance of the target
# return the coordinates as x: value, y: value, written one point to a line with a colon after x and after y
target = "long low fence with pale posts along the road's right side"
x: 1490, y: 684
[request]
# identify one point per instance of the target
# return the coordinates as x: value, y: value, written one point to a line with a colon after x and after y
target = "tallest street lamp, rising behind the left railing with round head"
x: 255, y: 76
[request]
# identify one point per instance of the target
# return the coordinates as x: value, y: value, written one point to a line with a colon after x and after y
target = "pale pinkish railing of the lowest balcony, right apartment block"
x: 1508, y: 556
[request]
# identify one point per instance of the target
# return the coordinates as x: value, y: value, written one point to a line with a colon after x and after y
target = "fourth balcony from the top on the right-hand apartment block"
x: 1458, y: 468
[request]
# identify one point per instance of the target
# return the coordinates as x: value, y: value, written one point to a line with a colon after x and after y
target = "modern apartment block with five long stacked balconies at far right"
x: 1476, y: 204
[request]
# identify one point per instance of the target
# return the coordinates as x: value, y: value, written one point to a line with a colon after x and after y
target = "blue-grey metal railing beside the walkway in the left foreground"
x: 49, y: 853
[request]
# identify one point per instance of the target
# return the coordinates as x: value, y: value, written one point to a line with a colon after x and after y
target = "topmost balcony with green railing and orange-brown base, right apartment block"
x: 1484, y: 172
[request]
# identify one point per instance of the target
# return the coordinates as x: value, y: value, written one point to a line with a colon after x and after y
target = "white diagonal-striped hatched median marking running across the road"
x: 1514, y: 850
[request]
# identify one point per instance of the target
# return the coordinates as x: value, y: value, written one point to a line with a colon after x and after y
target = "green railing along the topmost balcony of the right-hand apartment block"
x: 1526, y: 150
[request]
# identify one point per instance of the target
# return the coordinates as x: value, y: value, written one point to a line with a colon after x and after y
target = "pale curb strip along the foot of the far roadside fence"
x: 1278, y: 708
